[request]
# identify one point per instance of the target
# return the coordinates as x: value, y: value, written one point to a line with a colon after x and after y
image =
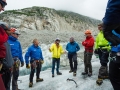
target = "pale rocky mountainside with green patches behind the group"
x: 46, y: 24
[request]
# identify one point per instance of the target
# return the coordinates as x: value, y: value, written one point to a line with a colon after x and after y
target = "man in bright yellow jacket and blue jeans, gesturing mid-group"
x: 56, y: 50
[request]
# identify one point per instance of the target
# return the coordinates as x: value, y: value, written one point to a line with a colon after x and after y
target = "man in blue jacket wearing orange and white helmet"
x: 16, y: 51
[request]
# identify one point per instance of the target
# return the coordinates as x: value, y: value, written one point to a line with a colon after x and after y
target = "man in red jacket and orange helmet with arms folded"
x: 88, y: 43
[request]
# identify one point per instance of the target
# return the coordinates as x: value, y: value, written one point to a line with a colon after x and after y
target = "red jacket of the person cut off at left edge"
x: 3, y: 39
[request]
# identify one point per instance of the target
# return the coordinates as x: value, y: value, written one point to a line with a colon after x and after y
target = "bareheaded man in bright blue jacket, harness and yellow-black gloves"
x: 36, y: 61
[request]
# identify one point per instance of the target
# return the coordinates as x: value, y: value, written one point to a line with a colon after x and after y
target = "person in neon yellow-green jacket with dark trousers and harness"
x: 102, y: 49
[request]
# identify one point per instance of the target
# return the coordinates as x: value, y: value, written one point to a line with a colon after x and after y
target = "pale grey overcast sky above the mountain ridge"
x: 91, y: 8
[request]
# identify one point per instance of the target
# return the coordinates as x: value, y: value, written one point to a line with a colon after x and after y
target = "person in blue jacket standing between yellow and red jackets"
x: 72, y: 48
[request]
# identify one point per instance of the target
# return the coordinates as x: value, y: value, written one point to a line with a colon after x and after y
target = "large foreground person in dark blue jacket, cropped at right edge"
x: 111, y: 22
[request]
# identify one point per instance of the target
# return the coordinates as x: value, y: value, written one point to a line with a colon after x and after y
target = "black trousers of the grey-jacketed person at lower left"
x: 6, y: 76
